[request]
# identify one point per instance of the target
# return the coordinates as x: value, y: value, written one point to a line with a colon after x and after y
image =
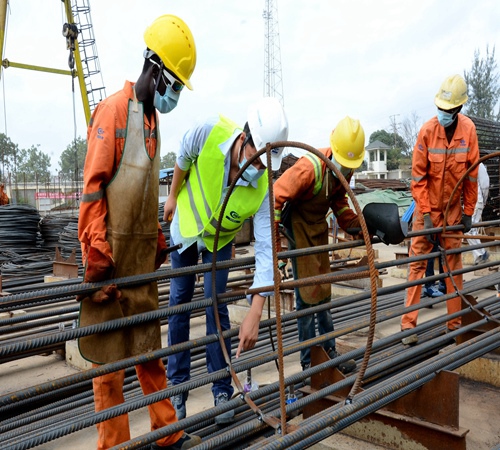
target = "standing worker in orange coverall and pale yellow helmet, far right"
x: 446, y: 147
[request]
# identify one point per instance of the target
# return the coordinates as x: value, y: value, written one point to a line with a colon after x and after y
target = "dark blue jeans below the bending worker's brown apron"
x: 307, y: 327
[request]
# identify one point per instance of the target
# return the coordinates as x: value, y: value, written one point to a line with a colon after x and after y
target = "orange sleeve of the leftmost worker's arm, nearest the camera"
x: 100, y: 166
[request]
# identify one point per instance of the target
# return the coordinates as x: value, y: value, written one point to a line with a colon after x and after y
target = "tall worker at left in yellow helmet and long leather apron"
x: 118, y: 225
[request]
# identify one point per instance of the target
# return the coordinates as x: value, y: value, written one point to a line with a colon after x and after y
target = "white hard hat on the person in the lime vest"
x: 268, y: 123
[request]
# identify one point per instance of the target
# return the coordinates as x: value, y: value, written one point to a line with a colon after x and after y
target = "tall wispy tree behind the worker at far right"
x: 483, y: 86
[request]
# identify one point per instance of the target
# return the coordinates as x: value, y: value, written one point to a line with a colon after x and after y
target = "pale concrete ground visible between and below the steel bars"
x: 479, y: 409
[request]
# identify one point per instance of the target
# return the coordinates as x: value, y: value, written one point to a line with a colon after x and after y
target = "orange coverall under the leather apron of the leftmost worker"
x: 105, y: 142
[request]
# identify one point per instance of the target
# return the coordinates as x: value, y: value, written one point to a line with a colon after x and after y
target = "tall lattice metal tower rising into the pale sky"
x: 273, y: 78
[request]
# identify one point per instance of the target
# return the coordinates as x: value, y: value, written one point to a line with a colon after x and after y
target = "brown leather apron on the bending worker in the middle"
x: 309, y: 229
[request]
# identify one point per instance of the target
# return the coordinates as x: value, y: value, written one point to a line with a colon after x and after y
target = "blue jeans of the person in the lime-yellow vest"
x: 181, y: 291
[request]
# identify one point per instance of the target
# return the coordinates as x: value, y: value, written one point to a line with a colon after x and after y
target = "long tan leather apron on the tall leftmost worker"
x: 132, y: 232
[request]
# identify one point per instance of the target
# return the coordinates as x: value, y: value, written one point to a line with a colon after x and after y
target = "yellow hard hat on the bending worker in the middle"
x: 348, y: 143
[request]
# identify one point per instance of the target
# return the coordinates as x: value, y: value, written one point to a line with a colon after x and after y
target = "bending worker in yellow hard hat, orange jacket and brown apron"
x: 309, y: 189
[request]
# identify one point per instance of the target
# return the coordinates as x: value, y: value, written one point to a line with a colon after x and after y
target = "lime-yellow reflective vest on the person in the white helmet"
x: 200, y: 199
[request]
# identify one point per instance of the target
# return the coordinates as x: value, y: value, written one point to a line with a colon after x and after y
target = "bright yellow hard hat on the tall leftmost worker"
x: 171, y: 39
